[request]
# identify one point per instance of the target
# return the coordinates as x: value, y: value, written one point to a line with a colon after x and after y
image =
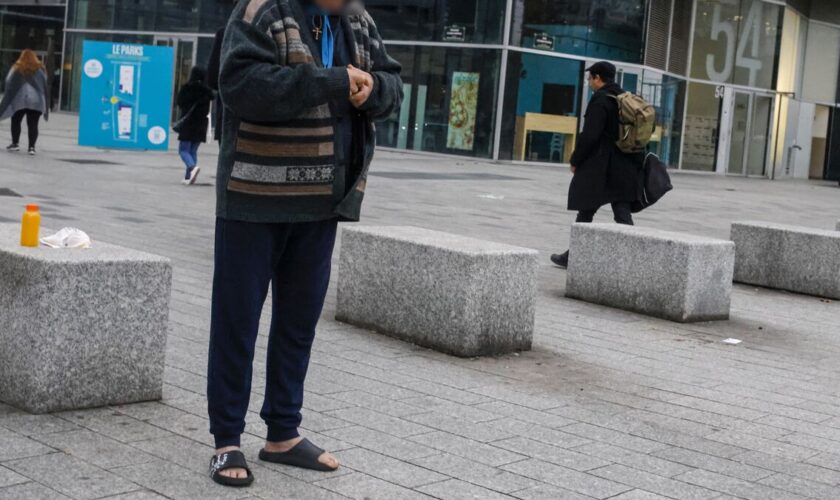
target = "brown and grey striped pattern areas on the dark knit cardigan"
x: 295, y: 158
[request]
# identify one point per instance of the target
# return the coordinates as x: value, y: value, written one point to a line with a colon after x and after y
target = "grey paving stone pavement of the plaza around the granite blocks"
x: 609, y: 404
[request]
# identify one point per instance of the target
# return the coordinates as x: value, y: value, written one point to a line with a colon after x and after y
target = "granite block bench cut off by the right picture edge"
x: 793, y: 258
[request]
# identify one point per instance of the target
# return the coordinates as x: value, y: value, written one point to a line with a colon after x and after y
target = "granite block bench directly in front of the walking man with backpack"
x: 675, y: 276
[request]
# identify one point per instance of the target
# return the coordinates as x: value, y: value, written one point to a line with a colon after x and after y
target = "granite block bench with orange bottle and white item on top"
x: 80, y: 328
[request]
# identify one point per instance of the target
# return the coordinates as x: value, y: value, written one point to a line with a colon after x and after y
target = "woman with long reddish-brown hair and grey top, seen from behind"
x: 27, y: 96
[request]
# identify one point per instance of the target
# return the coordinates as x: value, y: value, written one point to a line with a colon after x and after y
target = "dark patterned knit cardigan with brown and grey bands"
x: 278, y: 161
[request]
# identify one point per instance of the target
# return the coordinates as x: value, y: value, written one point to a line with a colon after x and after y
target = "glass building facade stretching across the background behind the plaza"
x: 741, y: 87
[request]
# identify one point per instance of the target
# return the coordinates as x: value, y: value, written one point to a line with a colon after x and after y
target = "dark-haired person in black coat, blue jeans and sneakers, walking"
x: 194, y: 100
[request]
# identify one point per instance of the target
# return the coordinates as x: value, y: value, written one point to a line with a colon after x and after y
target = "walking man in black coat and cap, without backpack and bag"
x: 603, y: 174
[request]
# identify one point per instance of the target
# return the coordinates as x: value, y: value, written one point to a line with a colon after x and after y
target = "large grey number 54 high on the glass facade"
x: 742, y: 49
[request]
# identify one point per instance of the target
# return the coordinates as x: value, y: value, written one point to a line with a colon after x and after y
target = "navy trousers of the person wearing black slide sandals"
x: 295, y: 260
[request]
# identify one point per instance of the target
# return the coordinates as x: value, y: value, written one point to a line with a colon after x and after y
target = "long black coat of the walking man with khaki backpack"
x: 604, y: 174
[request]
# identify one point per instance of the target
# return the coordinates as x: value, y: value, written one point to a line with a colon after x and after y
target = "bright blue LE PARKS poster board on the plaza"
x: 126, y: 96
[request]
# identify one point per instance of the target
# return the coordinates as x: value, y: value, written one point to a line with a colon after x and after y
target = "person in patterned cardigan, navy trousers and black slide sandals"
x: 301, y: 82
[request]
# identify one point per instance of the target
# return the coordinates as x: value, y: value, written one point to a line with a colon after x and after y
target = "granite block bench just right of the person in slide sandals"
x: 454, y: 294
